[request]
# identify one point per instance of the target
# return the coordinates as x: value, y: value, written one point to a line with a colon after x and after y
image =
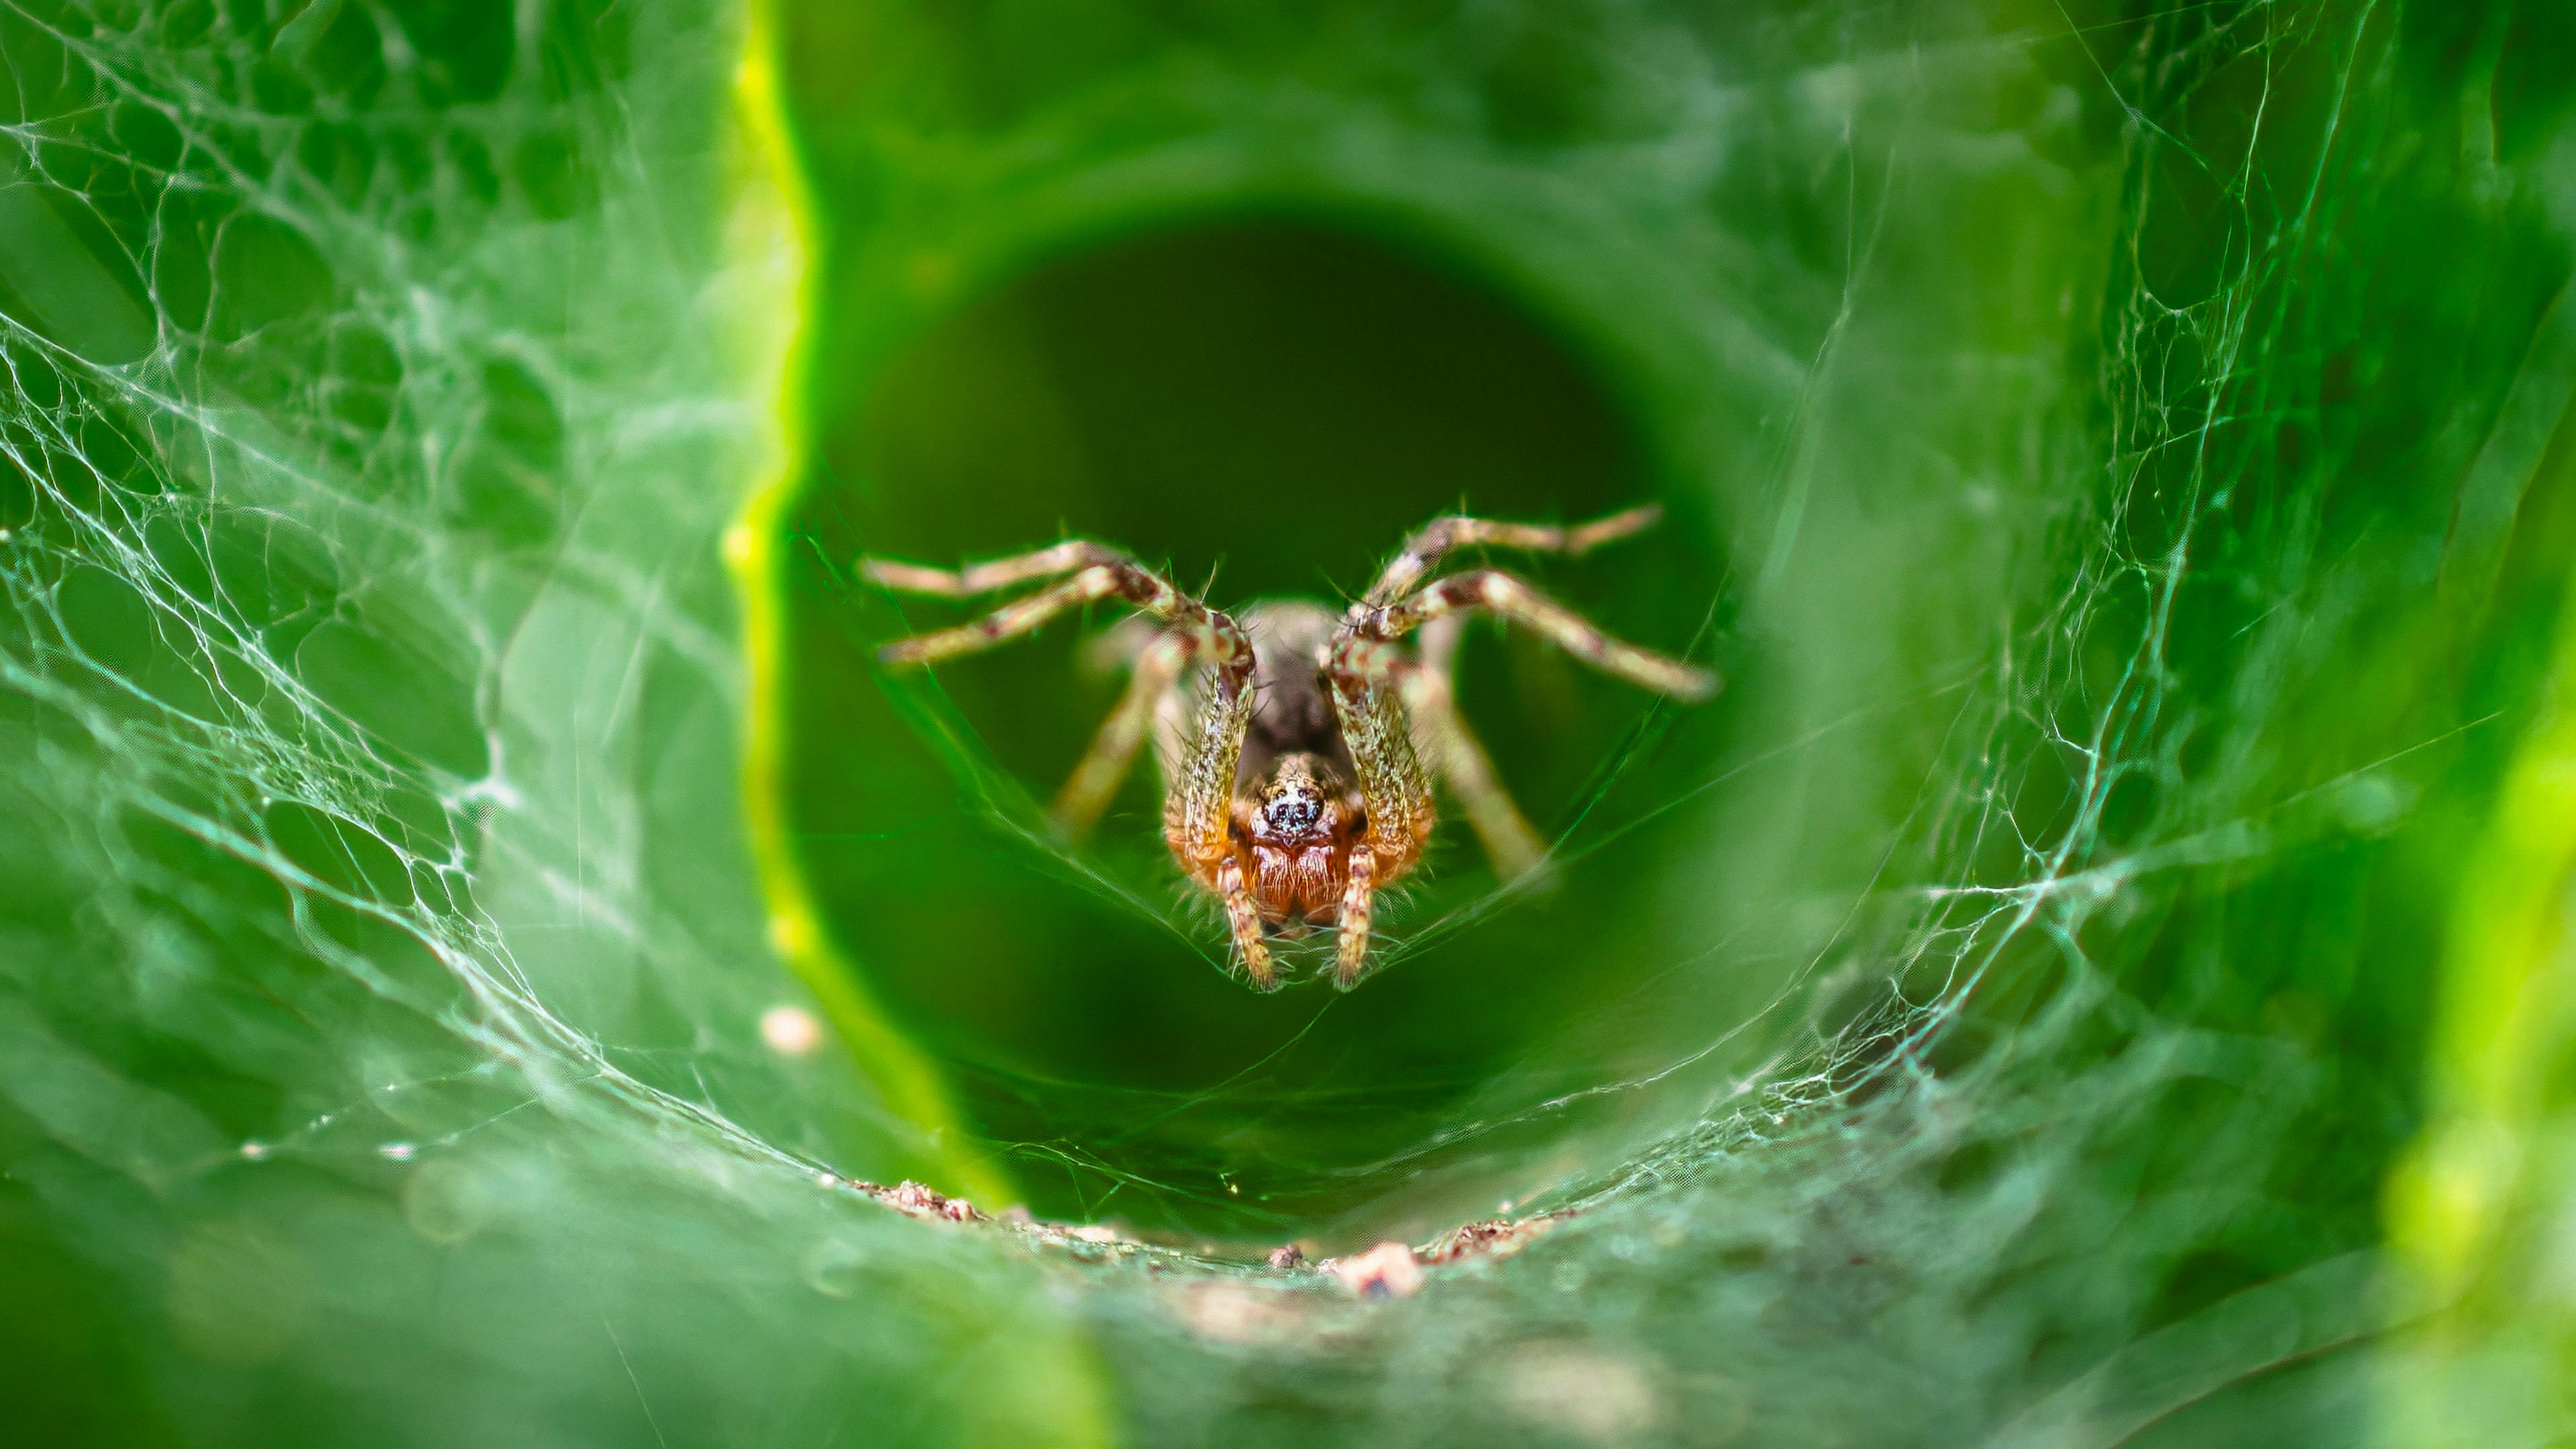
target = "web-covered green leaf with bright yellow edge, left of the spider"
x: 380, y: 1027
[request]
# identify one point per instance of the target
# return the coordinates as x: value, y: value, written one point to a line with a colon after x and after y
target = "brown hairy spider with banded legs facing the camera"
x: 1294, y: 741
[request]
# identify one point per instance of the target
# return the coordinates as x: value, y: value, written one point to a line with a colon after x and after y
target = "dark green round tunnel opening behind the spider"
x: 1269, y: 409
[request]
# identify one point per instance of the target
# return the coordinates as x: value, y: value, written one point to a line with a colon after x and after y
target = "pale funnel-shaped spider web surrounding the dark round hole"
x: 385, y: 960
